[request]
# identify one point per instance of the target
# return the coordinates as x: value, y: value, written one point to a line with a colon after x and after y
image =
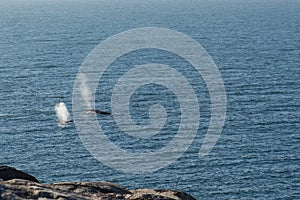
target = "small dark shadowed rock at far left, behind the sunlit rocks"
x: 8, y: 173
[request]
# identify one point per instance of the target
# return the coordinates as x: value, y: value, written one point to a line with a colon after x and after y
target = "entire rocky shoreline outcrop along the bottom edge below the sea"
x: 17, y: 189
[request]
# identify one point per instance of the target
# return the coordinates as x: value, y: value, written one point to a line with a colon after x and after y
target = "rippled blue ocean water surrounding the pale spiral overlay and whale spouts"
x: 255, y: 45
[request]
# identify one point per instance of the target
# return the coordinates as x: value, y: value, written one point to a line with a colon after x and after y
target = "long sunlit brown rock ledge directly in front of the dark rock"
x: 23, y: 189
